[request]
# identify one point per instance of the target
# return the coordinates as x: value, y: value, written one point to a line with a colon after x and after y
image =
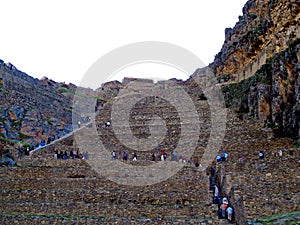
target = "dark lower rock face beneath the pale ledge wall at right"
x: 272, y: 93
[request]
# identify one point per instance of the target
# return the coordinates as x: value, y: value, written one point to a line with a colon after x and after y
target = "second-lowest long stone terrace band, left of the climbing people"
x: 108, y: 196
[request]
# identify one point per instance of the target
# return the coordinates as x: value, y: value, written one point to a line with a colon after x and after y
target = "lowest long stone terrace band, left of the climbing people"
x: 109, y: 210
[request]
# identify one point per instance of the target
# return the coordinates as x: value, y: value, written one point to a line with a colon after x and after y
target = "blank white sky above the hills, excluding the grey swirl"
x: 62, y: 39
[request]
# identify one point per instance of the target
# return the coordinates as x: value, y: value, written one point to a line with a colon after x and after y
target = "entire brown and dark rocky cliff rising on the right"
x: 258, y: 65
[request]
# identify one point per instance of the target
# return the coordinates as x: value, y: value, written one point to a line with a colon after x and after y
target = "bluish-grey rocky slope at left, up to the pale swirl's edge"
x: 32, y: 110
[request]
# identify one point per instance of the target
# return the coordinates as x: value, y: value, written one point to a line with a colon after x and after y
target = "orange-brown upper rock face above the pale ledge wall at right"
x: 266, y: 27
